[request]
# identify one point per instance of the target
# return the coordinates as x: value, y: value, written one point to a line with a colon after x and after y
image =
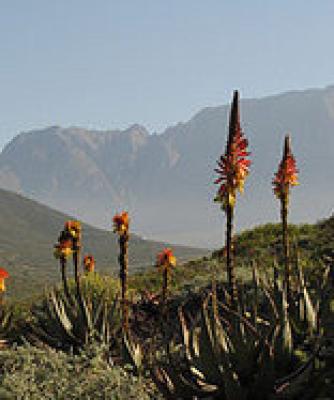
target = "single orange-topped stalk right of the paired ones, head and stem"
x: 121, y: 227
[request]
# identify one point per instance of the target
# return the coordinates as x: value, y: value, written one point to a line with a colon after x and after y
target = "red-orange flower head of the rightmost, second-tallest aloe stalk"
x: 287, y: 174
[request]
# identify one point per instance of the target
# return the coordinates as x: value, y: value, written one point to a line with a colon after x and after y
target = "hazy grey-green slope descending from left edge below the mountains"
x: 28, y: 231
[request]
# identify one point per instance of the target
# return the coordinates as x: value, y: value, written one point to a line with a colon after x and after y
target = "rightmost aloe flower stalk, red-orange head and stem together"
x: 285, y: 177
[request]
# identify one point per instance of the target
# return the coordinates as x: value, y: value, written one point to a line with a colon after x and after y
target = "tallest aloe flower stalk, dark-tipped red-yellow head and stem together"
x: 233, y: 168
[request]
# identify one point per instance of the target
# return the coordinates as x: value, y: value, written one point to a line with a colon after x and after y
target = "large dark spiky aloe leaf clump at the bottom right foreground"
x: 224, y: 356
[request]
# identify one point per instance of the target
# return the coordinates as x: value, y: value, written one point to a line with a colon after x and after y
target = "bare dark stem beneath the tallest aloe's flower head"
x: 232, y: 289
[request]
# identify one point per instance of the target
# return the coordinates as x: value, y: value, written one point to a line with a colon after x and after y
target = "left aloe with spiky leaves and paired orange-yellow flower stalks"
x: 67, y: 320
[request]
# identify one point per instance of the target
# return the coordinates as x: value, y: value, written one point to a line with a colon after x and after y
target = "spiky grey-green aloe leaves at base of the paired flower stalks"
x: 63, y: 323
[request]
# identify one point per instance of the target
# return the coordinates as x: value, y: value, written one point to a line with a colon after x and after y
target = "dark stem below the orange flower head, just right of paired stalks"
x: 123, y: 274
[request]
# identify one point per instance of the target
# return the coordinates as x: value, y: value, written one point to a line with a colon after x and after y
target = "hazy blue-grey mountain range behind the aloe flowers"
x: 166, y: 180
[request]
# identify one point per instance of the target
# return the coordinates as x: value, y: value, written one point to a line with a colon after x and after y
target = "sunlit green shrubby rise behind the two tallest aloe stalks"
x: 262, y: 244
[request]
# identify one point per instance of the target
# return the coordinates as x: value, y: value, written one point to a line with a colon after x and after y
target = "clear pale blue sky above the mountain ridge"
x: 109, y: 64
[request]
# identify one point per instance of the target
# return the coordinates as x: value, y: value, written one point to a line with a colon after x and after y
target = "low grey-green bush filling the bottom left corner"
x: 32, y: 373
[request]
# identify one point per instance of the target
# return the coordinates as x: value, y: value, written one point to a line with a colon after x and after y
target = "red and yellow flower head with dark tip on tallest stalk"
x: 233, y: 166
